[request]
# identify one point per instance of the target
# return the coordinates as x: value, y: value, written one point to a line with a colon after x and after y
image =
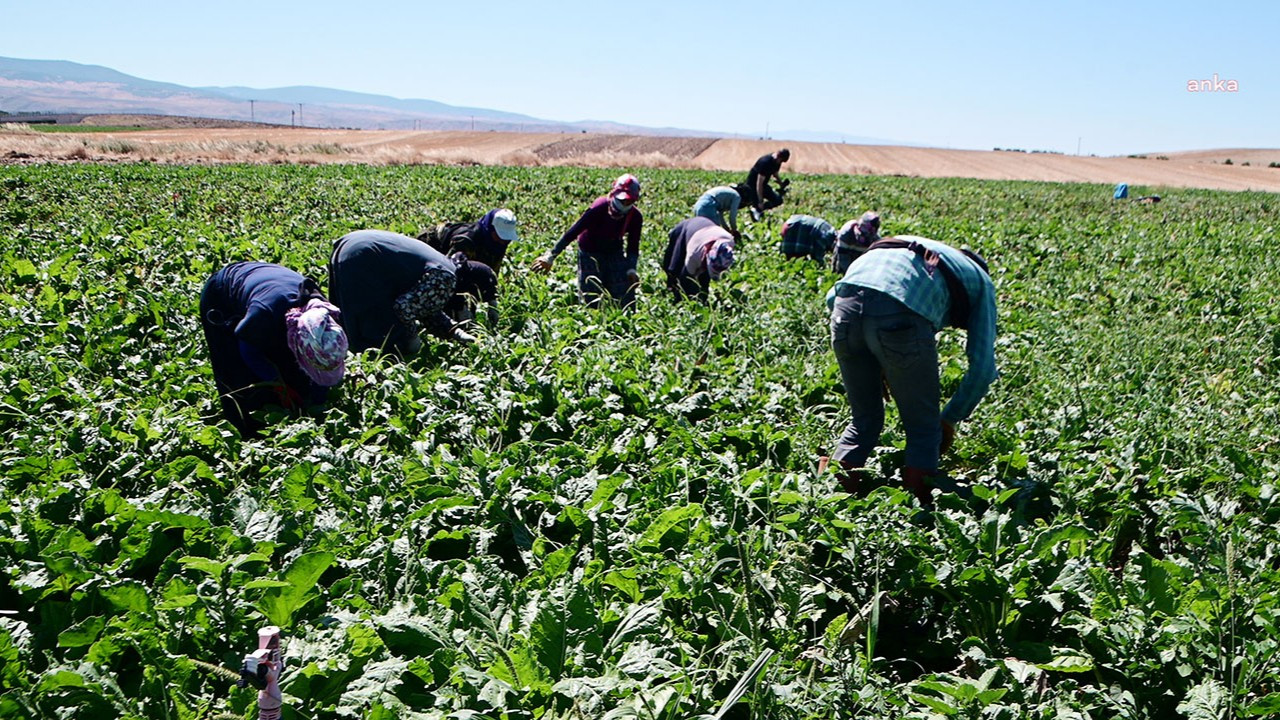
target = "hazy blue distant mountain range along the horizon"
x: 61, y: 86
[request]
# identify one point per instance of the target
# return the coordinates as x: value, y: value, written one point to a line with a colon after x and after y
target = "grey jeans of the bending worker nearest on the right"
x: 874, y: 336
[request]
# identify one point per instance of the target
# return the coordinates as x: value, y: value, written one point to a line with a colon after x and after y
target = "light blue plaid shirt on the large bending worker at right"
x: 902, y: 275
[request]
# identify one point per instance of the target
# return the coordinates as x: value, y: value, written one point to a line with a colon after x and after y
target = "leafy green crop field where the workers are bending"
x: 611, y: 516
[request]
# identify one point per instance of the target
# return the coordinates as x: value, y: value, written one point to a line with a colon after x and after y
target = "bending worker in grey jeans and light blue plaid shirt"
x: 885, y: 313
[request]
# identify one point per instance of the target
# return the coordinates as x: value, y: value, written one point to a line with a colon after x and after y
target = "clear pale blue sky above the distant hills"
x: 1110, y: 79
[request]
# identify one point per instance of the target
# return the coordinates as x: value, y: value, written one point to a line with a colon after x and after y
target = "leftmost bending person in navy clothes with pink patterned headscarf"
x: 273, y: 340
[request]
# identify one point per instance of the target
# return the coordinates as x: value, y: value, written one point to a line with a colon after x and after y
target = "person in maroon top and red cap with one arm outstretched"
x: 604, y: 262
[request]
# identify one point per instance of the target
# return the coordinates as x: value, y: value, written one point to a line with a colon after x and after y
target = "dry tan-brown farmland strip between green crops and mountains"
x: 276, y: 145
